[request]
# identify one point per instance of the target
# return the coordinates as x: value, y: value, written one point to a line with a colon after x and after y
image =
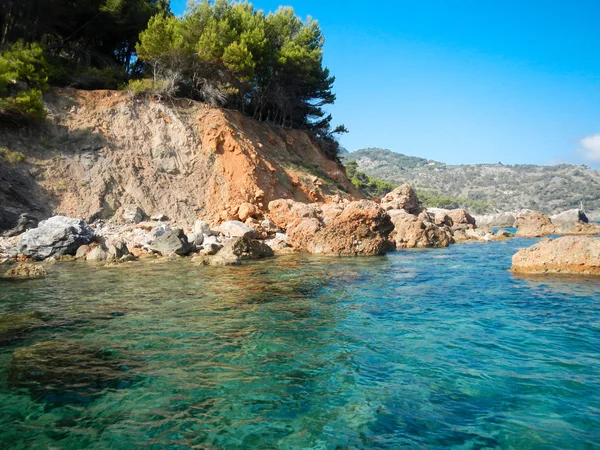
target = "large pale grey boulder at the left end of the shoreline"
x: 55, y: 237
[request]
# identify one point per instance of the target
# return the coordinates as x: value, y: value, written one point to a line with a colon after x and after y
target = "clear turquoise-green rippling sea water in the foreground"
x: 417, y: 349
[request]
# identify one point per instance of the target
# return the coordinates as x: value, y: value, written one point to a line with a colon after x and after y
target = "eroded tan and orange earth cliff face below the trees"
x: 101, y: 152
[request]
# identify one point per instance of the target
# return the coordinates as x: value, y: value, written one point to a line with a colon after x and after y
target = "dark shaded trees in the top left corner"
x: 89, y: 43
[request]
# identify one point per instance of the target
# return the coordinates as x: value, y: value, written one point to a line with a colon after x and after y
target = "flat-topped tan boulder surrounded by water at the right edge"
x: 569, y: 254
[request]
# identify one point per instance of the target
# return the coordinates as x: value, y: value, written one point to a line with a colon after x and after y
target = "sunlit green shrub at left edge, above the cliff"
x: 23, y: 77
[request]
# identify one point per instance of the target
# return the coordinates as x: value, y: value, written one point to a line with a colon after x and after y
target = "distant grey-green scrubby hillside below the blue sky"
x: 504, y: 187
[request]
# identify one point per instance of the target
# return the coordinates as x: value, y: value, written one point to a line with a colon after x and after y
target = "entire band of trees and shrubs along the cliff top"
x: 227, y: 53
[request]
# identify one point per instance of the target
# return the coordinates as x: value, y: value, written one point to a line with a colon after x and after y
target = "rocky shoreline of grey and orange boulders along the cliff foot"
x: 335, y: 228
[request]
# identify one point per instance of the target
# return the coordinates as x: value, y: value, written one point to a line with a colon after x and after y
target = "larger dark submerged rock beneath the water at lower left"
x: 68, y: 371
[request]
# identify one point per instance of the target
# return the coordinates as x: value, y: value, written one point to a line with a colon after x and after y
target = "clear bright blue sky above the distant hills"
x: 464, y: 81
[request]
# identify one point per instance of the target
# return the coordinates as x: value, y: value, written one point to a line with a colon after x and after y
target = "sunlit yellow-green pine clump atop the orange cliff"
x: 269, y: 67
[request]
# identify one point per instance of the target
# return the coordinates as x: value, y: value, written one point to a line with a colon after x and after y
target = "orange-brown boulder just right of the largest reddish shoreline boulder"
x: 411, y: 231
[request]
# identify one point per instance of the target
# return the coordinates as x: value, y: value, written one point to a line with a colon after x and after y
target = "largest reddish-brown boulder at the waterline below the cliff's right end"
x: 362, y: 228
